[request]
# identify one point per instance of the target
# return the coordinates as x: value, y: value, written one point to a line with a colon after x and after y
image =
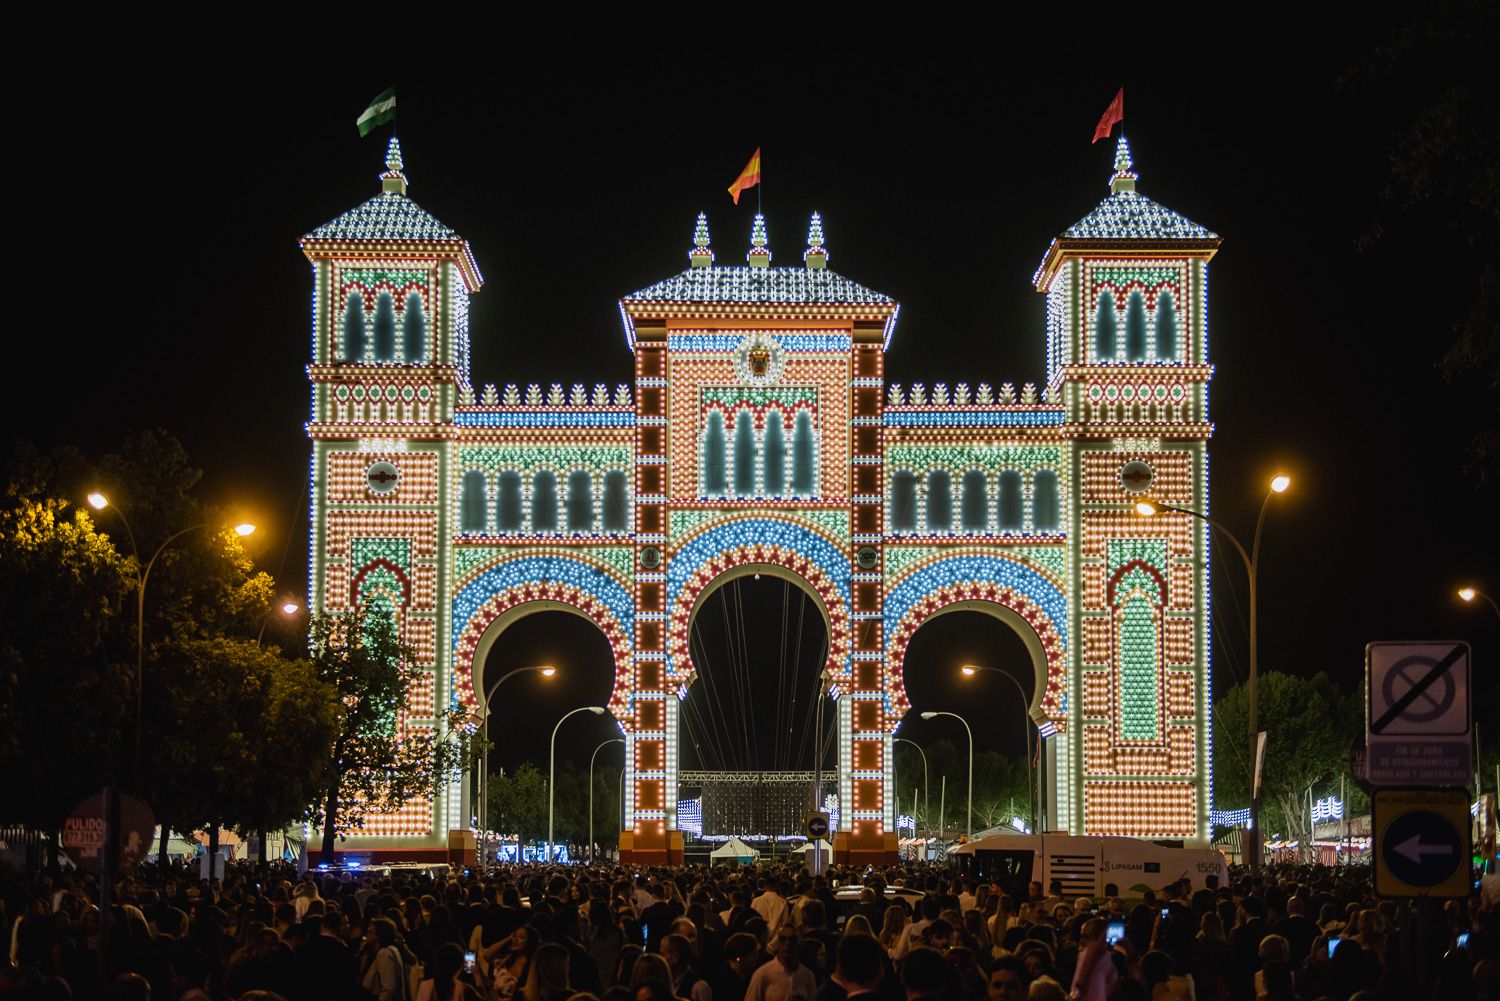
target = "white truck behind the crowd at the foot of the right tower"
x: 1085, y: 867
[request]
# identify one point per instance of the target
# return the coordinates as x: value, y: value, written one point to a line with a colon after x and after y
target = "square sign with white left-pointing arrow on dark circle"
x: 1421, y: 843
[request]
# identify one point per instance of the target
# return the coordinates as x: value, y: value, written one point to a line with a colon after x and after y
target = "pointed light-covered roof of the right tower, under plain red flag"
x: 1127, y: 220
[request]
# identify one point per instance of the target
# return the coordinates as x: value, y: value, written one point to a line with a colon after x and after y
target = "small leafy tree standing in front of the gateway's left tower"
x: 379, y: 763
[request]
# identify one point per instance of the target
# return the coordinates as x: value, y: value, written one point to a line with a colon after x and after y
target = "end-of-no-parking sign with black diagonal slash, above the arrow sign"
x: 1418, y: 714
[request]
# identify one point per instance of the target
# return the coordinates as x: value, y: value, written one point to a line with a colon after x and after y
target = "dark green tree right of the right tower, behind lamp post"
x: 1310, y: 726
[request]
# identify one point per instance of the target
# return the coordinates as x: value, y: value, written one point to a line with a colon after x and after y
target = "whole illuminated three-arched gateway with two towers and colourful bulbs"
x: 760, y: 434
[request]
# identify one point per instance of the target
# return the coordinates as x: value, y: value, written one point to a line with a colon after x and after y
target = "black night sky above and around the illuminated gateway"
x: 179, y: 298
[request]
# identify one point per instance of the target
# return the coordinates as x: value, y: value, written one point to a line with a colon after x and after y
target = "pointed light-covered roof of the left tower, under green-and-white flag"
x: 392, y: 218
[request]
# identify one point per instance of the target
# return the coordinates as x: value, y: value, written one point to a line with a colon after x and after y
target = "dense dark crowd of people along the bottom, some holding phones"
x: 760, y: 934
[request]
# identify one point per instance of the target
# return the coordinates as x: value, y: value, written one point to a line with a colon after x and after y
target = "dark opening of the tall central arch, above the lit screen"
x: 760, y: 645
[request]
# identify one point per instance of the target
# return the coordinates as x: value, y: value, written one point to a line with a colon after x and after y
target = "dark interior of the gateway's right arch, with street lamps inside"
x: 1004, y: 735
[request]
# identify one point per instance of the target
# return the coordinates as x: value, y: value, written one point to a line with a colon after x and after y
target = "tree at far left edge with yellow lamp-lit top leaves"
x: 65, y: 675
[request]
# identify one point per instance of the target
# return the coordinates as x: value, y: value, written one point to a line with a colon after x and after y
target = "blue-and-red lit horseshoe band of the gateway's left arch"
x: 514, y: 589
